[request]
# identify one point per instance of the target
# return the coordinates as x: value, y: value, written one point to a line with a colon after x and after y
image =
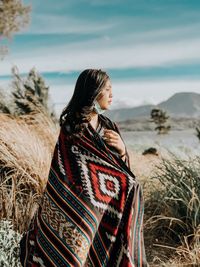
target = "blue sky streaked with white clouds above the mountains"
x: 150, y: 48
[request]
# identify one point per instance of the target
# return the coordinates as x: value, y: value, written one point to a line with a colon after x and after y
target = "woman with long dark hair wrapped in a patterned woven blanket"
x: 92, y: 210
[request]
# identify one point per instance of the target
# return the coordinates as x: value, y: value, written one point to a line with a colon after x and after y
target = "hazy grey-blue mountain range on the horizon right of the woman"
x: 180, y: 105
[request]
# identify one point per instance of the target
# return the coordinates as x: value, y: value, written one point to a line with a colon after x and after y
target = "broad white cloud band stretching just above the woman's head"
x: 101, y: 54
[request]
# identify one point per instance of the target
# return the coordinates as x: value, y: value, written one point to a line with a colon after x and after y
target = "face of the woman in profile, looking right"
x: 105, y: 98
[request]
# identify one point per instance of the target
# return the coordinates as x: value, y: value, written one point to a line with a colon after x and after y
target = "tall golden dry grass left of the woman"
x: 26, y: 149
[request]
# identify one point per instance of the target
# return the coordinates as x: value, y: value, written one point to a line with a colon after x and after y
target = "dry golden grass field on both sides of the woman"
x: 171, y: 190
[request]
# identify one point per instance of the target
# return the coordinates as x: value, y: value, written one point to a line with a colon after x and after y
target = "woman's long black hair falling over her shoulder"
x: 76, y: 115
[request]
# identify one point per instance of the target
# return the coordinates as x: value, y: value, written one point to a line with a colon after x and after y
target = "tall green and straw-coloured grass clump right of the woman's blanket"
x: 172, y: 218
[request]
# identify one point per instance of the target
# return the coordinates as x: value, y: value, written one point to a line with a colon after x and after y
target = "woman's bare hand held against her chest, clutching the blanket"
x: 113, y: 139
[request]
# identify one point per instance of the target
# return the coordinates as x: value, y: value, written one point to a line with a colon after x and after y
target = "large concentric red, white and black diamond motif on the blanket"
x: 106, y: 186
